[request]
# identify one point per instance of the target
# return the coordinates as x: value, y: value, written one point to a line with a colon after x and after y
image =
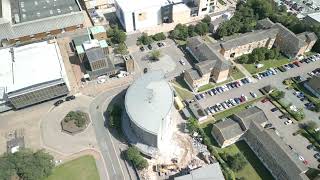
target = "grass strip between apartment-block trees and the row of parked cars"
x: 267, y: 64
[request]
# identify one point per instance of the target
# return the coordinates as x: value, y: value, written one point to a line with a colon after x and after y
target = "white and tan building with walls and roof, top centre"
x: 141, y: 14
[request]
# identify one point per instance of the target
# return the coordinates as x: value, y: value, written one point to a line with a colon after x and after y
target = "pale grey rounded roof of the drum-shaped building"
x: 149, y: 100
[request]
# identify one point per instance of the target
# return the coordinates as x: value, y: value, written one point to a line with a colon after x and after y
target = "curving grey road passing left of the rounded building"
x: 108, y: 145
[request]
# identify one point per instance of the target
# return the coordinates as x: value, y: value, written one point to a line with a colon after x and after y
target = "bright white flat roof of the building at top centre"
x: 133, y: 5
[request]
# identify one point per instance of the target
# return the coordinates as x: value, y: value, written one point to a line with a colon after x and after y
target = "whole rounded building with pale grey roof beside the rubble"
x: 148, y: 104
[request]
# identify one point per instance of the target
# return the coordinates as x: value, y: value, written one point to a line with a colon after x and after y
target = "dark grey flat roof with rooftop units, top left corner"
x: 29, y: 10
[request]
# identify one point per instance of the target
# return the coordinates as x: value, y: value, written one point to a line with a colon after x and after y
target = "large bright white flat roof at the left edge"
x: 30, y: 65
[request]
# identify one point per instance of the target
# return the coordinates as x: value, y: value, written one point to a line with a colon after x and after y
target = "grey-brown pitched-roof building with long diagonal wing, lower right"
x: 250, y: 125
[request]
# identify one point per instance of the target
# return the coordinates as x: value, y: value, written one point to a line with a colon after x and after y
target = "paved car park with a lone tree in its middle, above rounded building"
x: 169, y: 62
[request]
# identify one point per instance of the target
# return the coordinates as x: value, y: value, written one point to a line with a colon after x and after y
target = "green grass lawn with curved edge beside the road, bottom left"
x: 82, y: 168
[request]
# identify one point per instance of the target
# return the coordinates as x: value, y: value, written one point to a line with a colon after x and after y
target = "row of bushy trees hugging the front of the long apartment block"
x: 259, y: 54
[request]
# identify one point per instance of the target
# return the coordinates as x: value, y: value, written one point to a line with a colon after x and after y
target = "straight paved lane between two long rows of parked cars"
x: 275, y: 81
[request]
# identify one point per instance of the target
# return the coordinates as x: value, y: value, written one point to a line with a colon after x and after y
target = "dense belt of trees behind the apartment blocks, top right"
x: 248, y: 12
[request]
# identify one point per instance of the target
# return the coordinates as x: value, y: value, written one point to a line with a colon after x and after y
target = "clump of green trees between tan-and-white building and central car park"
x: 182, y: 32
